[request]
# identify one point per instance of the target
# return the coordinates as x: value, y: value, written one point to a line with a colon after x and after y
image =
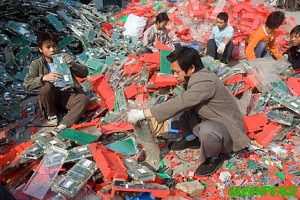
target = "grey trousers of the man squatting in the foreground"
x: 213, y: 136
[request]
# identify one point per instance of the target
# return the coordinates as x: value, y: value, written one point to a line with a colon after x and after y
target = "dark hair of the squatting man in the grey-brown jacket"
x: 186, y: 57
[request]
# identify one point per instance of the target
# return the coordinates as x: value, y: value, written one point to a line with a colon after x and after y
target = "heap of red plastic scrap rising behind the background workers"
x: 191, y: 21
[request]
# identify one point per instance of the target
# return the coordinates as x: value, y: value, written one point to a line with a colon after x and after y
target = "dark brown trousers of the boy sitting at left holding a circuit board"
x: 53, y: 101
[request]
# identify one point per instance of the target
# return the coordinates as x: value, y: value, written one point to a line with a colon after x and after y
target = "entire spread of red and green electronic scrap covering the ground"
x: 103, y: 157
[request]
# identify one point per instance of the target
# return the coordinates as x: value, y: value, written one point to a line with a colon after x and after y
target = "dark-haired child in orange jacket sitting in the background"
x: 262, y: 43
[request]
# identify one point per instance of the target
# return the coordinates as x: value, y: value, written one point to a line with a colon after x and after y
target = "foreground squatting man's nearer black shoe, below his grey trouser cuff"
x: 209, y: 167
